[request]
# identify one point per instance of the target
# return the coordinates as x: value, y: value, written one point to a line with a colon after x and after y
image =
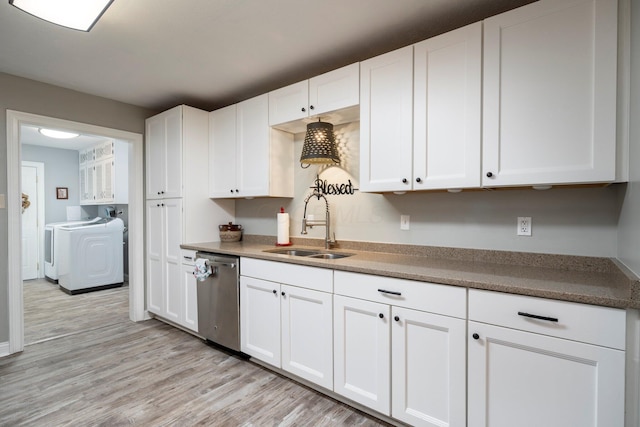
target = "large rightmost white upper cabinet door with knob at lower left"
x: 549, y: 100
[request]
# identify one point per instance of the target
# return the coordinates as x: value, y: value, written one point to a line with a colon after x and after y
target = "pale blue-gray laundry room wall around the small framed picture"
x: 60, y: 170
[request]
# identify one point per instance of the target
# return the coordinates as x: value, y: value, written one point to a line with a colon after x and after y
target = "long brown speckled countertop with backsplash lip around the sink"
x: 590, y: 280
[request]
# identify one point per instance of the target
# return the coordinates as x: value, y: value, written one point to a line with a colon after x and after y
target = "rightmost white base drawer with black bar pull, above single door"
x: 579, y: 322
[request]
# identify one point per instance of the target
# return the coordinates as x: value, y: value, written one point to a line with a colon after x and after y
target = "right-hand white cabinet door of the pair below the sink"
x: 307, y: 339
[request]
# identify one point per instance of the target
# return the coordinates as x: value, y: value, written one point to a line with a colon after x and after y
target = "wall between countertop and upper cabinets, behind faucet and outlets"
x: 579, y: 221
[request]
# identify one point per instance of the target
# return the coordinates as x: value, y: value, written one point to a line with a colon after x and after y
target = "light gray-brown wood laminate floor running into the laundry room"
x: 104, y: 370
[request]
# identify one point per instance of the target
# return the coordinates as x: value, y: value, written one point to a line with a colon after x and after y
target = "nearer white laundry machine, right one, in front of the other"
x: 91, y: 256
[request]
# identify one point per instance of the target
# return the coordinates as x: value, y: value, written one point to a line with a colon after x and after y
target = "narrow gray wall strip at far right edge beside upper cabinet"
x: 629, y: 230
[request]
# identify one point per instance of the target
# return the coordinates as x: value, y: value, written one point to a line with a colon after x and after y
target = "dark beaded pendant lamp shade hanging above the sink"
x: 319, y: 145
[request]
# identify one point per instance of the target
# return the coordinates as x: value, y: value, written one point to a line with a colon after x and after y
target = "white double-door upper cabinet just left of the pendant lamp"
x: 247, y: 158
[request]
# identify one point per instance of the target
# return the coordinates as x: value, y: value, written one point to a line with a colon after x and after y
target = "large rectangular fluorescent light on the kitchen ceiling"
x: 77, y: 14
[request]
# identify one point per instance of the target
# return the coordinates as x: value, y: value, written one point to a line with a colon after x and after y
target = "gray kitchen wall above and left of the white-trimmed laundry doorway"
x: 38, y: 98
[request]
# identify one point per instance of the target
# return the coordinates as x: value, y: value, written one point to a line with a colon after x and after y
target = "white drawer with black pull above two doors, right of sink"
x: 431, y: 297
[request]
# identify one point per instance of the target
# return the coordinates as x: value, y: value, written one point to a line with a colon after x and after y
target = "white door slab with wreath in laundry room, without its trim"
x: 30, y: 246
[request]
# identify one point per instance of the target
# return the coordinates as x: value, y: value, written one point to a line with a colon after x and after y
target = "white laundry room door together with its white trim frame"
x: 32, y: 216
